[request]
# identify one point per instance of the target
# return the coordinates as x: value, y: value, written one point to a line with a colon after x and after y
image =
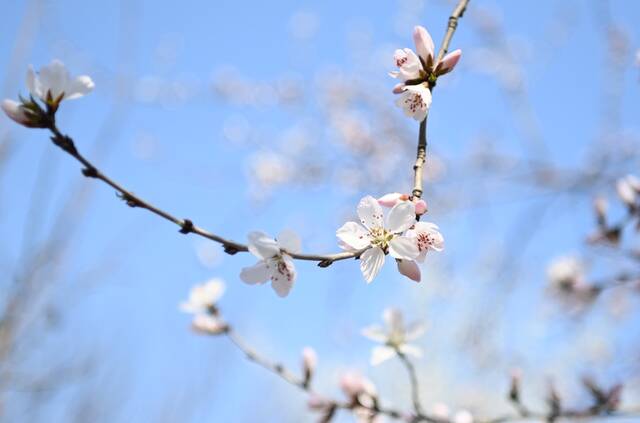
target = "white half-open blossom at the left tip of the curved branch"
x: 52, y: 84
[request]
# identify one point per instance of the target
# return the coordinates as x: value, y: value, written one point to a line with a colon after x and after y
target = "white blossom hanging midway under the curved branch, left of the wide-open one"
x: 274, y: 263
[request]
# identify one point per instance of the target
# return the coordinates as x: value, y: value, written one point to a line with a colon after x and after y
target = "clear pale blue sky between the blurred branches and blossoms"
x: 123, y: 313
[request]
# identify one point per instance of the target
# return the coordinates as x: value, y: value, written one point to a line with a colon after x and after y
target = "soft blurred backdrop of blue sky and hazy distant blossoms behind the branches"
x: 272, y: 115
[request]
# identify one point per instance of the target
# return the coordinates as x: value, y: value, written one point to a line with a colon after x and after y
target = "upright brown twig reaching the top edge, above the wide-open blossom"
x: 421, y: 154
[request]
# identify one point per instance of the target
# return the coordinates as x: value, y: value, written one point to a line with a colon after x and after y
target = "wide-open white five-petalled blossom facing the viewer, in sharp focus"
x: 378, y: 236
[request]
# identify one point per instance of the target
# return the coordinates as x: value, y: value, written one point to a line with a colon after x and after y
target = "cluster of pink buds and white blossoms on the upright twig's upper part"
x: 418, y: 72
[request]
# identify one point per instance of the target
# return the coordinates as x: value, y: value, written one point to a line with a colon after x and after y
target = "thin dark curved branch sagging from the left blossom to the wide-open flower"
x: 186, y: 225
